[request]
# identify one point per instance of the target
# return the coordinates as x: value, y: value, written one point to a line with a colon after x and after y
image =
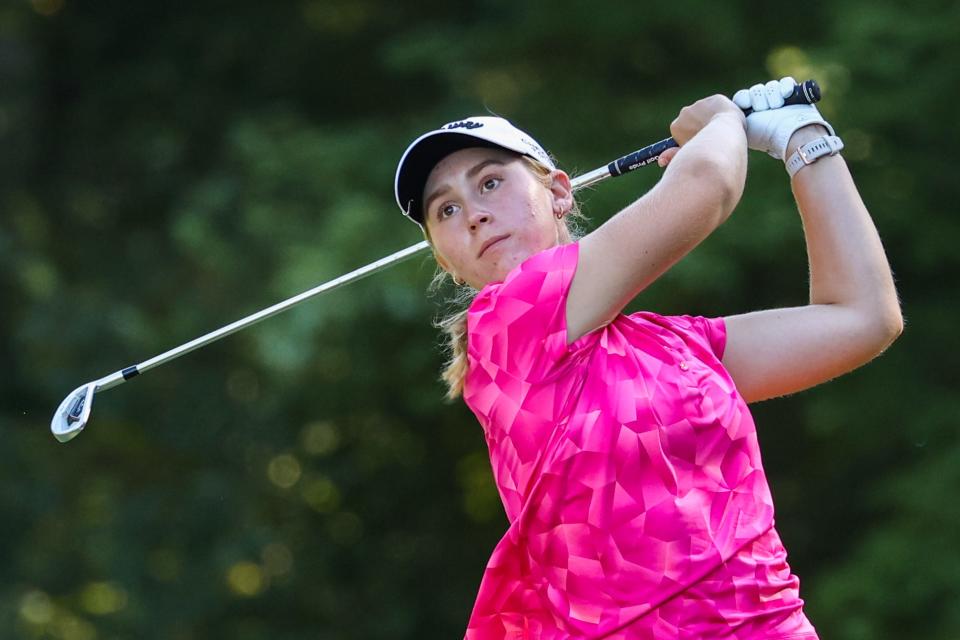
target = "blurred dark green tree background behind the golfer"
x: 167, y: 169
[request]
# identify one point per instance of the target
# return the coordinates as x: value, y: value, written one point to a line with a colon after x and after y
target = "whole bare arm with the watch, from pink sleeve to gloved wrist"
x: 853, y: 314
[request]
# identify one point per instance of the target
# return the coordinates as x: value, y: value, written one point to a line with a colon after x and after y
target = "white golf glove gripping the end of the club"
x: 771, y: 124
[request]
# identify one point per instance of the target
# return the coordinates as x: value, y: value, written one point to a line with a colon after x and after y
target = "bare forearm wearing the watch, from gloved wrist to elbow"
x: 847, y: 262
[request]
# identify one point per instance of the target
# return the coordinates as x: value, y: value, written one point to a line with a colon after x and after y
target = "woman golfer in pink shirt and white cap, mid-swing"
x: 622, y: 446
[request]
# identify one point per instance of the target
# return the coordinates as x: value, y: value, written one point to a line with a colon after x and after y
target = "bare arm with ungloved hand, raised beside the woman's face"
x: 699, y: 189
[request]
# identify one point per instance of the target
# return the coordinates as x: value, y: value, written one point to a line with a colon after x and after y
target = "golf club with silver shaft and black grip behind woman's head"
x: 74, y: 412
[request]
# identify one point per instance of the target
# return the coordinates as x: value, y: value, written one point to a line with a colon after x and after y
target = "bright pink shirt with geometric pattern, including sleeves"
x: 630, y: 472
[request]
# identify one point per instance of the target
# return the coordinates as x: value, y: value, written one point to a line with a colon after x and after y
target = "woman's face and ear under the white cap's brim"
x: 486, y: 212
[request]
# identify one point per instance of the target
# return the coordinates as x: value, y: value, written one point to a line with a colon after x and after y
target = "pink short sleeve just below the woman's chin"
x: 519, y: 326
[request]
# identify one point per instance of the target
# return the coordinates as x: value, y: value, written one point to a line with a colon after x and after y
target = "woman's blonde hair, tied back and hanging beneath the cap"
x: 454, y: 323
